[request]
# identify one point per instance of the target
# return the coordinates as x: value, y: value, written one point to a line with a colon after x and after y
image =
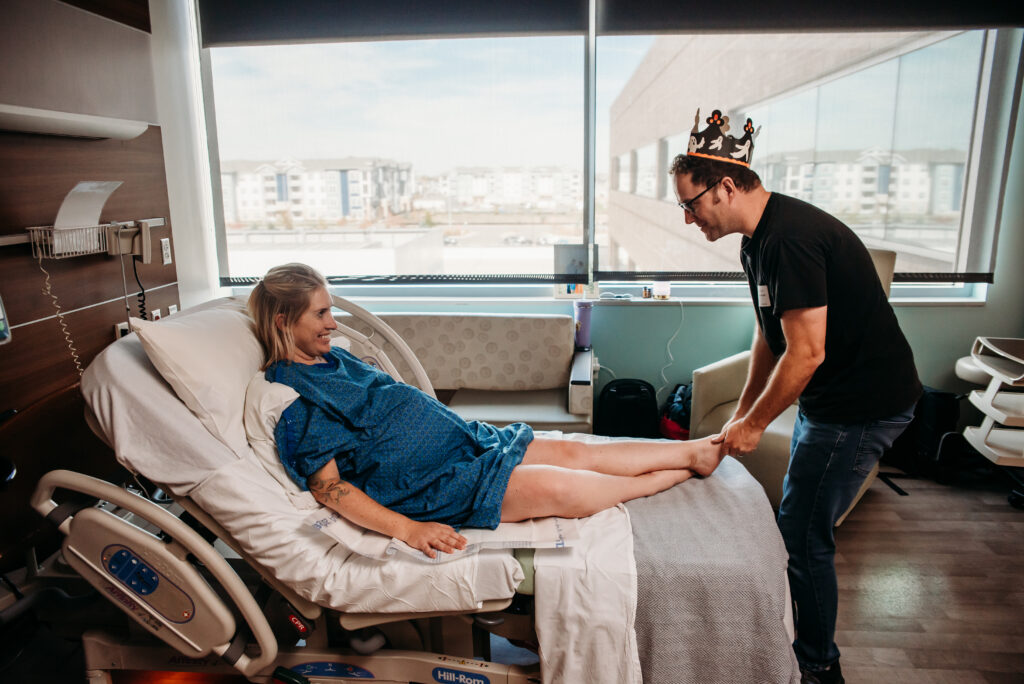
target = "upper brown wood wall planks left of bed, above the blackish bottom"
x: 36, y: 174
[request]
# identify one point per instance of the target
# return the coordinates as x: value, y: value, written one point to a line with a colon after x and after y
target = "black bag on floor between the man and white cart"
x: 916, y: 452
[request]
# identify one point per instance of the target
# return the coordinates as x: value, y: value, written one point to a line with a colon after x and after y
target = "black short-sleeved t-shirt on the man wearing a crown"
x: 802, y: 258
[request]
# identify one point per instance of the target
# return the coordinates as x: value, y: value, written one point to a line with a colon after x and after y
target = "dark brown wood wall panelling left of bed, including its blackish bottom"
x: 38, y: 378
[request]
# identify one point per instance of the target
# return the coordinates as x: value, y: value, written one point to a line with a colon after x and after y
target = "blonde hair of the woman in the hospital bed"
x: 285, y: 290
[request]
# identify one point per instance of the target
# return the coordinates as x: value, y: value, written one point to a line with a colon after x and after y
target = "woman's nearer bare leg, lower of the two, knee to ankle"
x: 538, y: 491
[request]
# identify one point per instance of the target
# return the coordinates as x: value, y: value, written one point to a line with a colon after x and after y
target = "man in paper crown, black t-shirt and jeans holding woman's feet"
x: 826, y: 334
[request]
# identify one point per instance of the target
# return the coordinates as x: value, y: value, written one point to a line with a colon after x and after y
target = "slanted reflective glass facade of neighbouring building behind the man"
x: 910, y: 117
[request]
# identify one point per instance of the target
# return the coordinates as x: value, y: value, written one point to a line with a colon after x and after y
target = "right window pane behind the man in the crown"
x: 873, y: 127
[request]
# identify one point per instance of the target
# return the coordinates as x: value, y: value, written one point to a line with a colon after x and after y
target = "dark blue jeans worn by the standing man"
x: 828, y: 465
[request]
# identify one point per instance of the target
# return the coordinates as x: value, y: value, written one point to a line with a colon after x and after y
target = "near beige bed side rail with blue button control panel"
x: 152, y: 580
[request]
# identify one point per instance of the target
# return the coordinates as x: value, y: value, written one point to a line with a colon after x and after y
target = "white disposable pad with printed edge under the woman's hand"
x: 537, y: 534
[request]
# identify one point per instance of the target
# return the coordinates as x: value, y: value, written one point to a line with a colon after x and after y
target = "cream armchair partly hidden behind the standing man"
x: 716, y: 393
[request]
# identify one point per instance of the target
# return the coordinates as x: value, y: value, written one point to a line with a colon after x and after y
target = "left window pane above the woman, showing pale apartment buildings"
x: 430, y: 157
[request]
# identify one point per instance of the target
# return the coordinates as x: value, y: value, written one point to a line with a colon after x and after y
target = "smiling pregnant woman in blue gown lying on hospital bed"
x: 392, y: 459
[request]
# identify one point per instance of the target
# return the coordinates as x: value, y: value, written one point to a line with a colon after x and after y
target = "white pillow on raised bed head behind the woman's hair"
x: 208, y: 357
